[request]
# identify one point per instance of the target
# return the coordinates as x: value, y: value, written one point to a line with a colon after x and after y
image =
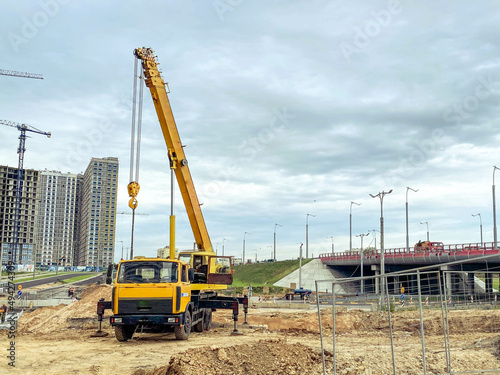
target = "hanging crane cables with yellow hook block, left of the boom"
x: 135, y: 150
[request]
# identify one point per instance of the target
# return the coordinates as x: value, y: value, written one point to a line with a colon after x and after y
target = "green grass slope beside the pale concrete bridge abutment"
x: 264, y: 274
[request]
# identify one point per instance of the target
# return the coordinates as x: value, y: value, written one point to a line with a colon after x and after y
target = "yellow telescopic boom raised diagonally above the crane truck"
x: 176, y: 152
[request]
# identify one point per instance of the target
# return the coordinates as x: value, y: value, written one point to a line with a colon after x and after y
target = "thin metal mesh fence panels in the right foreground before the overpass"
x: 438, y: 296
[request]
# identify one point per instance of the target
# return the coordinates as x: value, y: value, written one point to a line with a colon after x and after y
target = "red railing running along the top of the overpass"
x: 476, y: 247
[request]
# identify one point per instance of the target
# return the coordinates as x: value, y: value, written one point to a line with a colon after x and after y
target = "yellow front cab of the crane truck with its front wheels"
x: 154, y: 293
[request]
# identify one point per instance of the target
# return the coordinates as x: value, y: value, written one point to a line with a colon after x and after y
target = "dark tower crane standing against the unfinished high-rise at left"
x: 23, y: 128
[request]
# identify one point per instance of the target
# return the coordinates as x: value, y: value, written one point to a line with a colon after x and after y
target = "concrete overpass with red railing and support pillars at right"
x: 459, y: 262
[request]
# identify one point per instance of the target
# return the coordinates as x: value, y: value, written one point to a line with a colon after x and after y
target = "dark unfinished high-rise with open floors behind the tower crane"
x: 26, y: 232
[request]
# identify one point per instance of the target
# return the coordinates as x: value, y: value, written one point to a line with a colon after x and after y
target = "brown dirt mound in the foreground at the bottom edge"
x: 264, y: 357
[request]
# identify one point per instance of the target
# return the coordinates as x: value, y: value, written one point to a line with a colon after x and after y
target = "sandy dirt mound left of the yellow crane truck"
x: 58, y: 318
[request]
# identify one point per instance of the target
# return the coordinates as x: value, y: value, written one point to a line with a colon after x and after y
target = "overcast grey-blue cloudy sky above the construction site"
x: 286, y: 108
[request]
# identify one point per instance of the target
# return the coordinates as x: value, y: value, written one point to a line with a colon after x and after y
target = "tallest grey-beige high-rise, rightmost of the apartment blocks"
x: 97, y: 216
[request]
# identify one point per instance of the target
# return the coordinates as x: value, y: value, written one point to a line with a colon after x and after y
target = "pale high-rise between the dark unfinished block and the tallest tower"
x: 56, y: 218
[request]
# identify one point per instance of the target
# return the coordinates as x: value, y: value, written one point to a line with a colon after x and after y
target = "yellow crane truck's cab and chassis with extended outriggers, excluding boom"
x: 159, y: 295
